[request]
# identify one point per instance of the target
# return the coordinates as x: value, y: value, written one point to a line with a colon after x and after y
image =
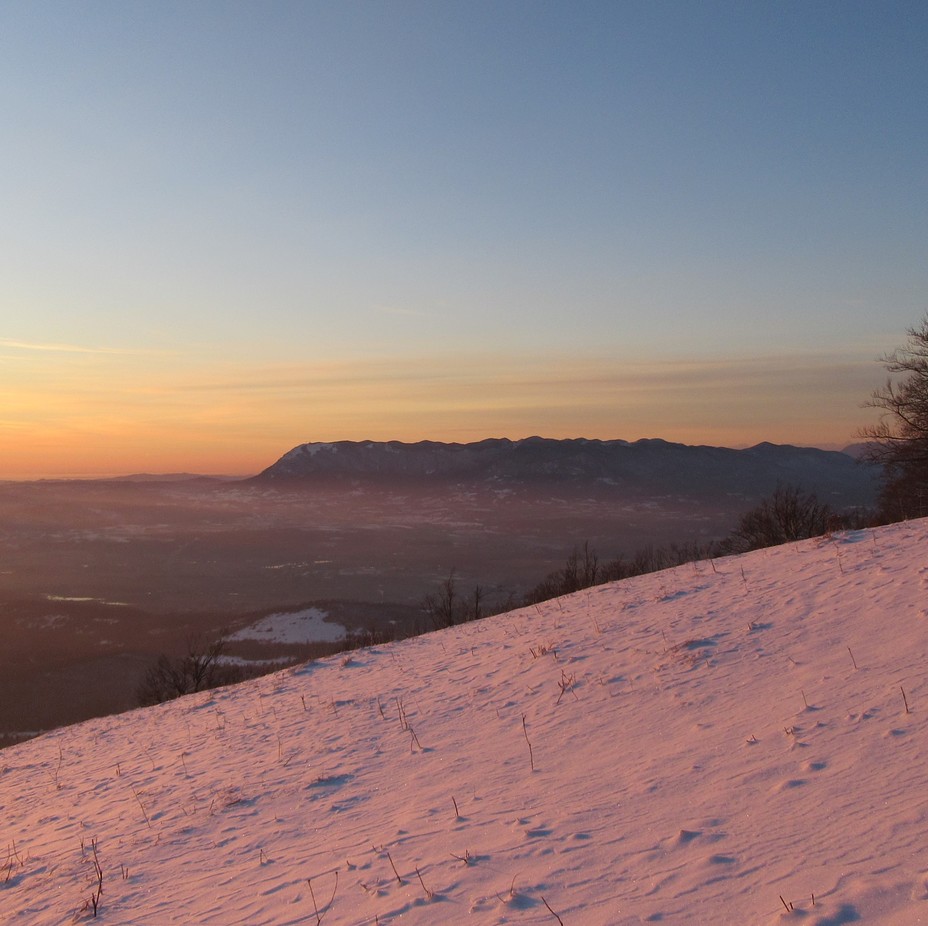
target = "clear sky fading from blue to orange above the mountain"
x: 231, y: 228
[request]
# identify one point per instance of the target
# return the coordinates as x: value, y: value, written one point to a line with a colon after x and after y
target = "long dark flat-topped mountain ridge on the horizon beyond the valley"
x: 653, y: 467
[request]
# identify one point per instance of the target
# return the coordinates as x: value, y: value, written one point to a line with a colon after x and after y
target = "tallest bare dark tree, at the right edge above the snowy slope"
x: 900, y: 439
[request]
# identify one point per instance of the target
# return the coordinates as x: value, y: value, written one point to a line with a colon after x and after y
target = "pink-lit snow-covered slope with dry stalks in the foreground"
x: 712, y: 744
